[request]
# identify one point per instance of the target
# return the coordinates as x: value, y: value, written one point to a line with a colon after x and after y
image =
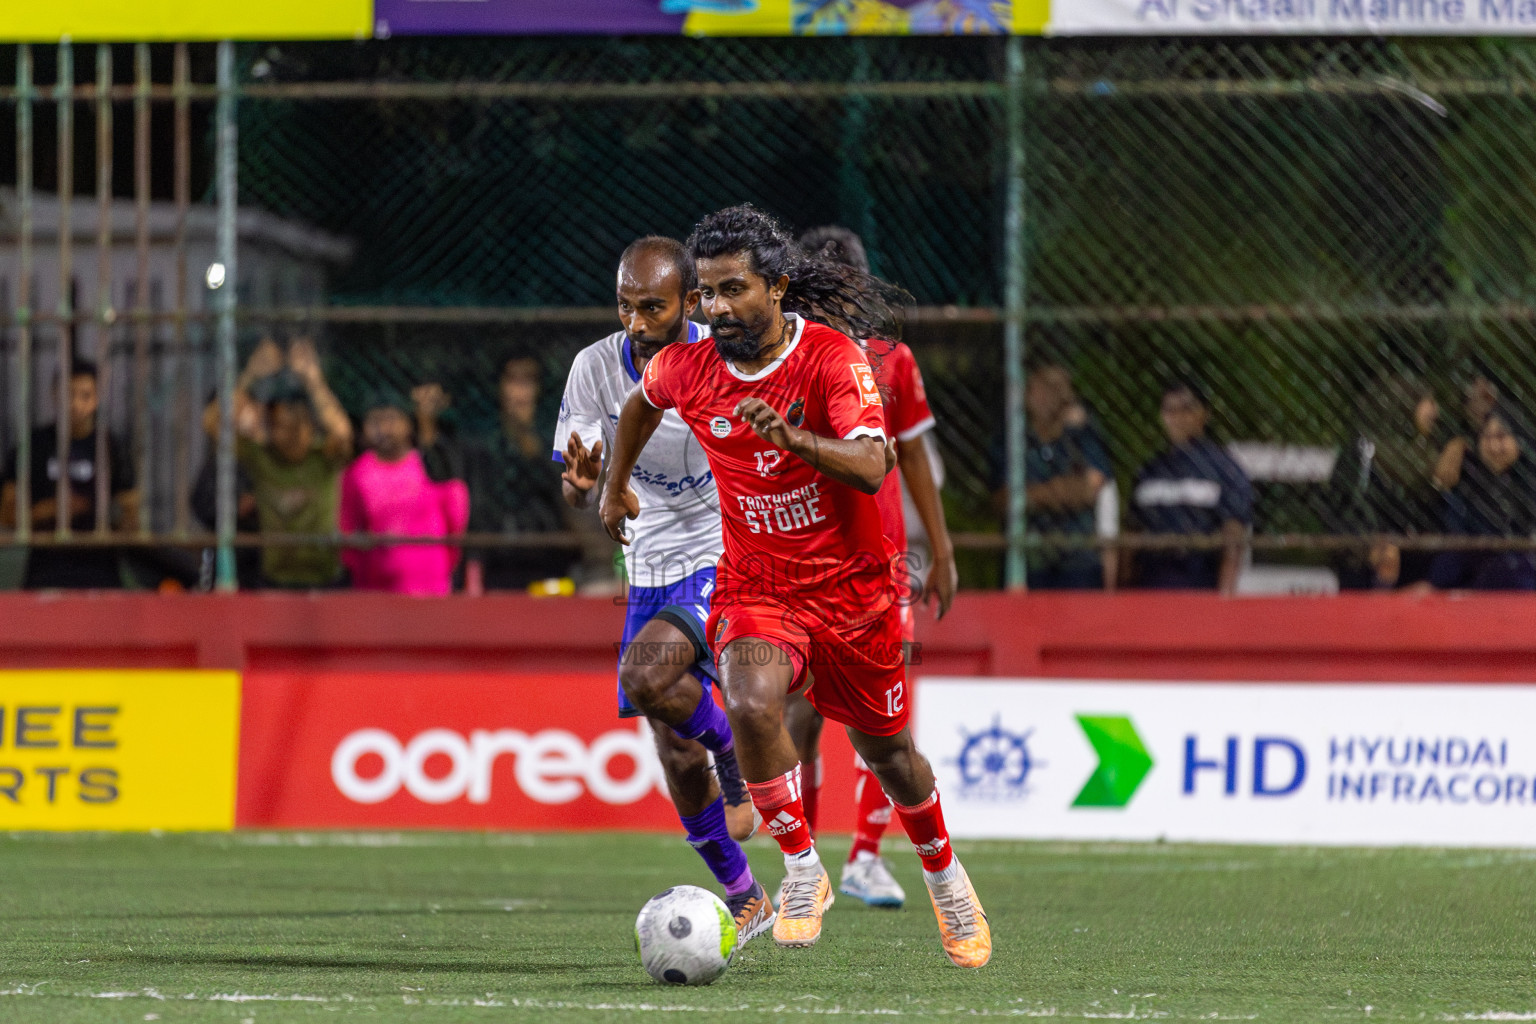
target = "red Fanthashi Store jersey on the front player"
x: 790, y: 532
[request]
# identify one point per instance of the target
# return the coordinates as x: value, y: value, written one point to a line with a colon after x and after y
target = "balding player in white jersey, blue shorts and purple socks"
x: 666, y: 669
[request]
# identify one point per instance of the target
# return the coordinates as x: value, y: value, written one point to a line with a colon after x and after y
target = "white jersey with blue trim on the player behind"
x: 678, y: 530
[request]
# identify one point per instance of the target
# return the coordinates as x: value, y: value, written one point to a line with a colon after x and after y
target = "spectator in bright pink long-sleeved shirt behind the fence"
x: 388, y: 491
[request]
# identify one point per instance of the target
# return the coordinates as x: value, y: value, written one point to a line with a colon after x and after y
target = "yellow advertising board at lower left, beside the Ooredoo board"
x: 119, y: 750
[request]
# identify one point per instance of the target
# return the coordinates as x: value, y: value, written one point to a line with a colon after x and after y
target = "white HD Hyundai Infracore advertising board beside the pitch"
x: 1349, y: 764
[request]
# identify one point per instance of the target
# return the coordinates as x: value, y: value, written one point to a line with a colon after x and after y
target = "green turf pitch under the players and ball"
x: 509, y: 928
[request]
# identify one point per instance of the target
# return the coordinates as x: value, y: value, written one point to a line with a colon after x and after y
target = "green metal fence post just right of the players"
x: 1015, y: 315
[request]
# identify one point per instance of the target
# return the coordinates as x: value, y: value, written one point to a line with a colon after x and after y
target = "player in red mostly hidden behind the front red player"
x: 907, y: 418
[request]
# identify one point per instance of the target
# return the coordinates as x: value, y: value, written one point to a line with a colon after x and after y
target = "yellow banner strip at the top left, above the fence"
x: 185, y: 21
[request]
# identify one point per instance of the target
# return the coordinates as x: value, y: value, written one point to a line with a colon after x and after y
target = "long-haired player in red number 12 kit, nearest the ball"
x: 792, y: 421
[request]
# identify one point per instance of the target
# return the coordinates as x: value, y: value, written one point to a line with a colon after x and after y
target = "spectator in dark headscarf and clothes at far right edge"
x: 1495, y: 497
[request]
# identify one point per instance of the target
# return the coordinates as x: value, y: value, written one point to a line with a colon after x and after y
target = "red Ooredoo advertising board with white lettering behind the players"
x: 462, y: 751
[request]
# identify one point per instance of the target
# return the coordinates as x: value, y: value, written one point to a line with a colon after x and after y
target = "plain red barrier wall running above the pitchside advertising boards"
x: 1134, y: 636
